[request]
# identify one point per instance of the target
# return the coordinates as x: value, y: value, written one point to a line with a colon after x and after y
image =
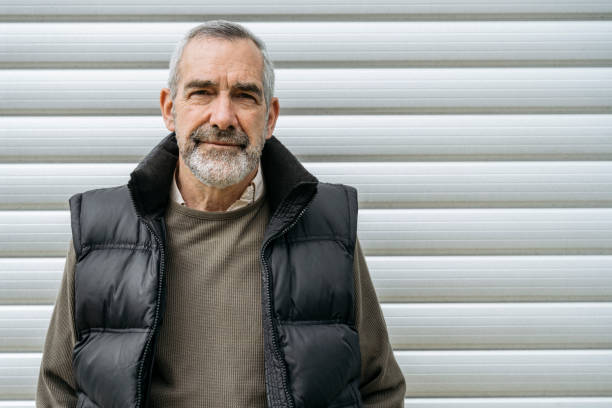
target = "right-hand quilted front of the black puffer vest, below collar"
x: 314, y: 301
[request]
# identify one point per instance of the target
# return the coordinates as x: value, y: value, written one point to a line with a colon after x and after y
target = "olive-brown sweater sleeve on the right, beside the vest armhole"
x: 382, y: 382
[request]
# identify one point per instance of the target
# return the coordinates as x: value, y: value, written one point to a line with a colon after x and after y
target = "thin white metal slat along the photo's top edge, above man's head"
x: 296, y: 7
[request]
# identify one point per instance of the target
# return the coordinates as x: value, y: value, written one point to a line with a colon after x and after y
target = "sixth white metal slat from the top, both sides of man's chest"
x: 522, y: 231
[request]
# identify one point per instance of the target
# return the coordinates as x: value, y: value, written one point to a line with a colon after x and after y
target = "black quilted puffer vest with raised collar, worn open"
x: 312, y: 356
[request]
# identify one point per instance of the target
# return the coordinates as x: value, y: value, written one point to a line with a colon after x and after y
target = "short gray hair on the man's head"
x: 225, y: 30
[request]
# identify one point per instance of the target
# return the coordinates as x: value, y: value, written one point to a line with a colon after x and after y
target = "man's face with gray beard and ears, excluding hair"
x: 219, y: 112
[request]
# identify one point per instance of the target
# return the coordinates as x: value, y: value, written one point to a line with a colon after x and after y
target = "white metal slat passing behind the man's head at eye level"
x: 375, y: 90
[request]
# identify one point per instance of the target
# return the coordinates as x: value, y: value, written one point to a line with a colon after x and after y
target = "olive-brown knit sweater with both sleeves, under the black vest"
x: 210, y: 350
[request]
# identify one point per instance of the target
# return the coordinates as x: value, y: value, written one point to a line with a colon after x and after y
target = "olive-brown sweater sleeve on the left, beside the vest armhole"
x: 56, y: 384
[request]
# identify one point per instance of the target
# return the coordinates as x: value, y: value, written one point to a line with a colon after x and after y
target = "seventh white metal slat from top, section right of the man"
x: 492, y: 278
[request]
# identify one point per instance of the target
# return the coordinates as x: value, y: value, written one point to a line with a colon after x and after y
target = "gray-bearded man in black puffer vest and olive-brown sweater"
x: 224, y: 274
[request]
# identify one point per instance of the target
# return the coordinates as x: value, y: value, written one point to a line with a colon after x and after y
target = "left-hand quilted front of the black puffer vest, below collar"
x: 116, y: 290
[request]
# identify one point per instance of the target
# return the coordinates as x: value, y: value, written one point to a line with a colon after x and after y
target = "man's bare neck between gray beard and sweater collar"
x: 202, y: 197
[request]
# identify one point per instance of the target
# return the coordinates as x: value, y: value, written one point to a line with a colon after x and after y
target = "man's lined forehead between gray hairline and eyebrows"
x: 220, y: 59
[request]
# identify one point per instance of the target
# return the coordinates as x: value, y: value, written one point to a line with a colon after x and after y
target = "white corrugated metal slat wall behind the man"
x: 479, y: 135
